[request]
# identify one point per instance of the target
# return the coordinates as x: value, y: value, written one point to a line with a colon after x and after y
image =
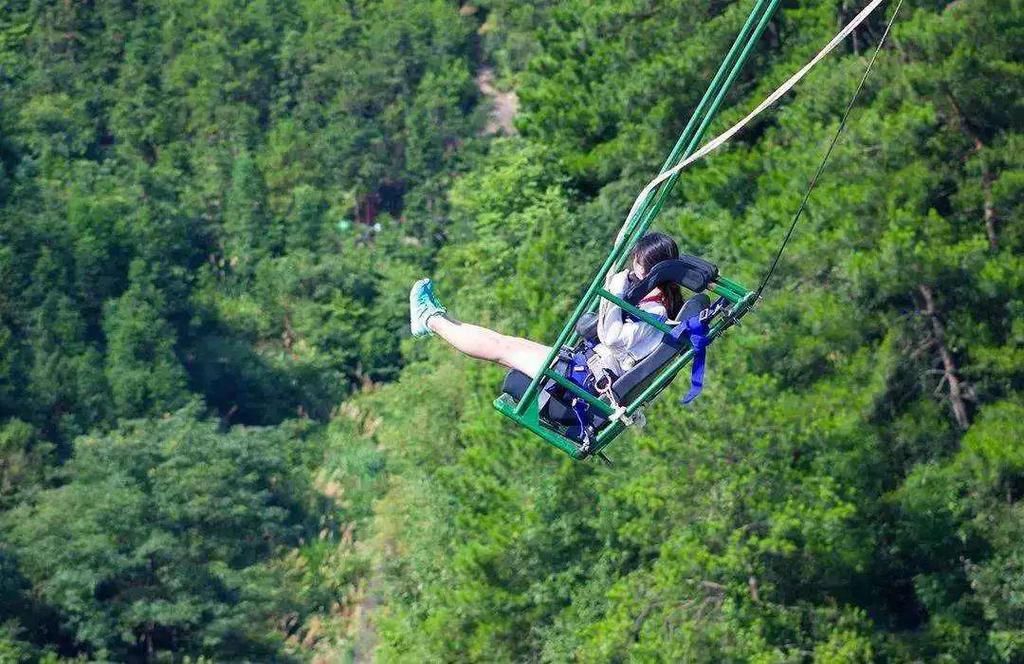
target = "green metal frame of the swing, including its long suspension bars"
x: 527, y: 410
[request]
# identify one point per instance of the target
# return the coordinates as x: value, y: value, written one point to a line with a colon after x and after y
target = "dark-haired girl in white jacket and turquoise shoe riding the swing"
x: 622, y: 342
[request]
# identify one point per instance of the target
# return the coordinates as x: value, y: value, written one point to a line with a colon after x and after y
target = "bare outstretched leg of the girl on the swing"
x: 480, y: 343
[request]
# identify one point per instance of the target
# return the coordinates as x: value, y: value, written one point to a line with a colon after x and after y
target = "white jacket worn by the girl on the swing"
x: 625, y: 343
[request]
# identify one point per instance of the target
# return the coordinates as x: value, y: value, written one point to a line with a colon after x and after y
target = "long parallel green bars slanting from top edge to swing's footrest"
x: 716, y: 92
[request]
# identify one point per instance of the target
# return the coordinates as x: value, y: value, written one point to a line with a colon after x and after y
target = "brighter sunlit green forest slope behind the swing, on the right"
x: 819, y: 503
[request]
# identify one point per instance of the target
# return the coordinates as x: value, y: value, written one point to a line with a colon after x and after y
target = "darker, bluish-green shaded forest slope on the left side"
x: 212, y: 201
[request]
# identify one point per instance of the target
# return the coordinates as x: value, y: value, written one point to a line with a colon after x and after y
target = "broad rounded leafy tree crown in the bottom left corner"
x: 161, y: 534
